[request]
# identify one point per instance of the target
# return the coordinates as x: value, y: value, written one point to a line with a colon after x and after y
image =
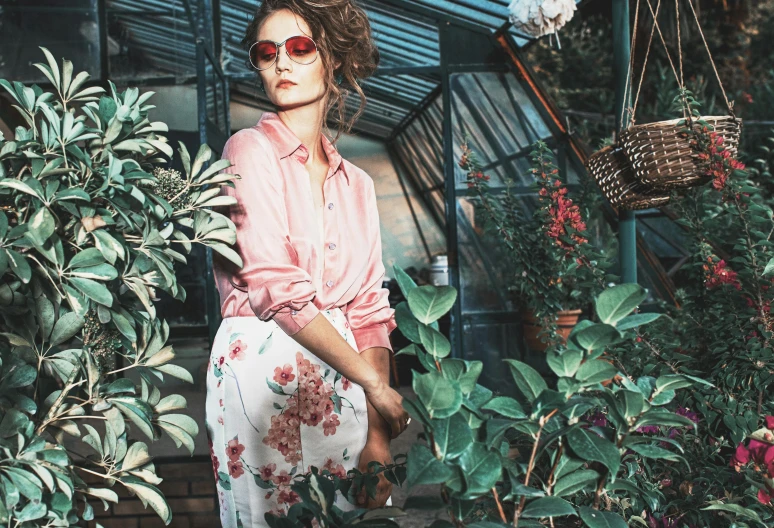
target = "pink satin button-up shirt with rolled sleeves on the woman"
x: 298, y: 261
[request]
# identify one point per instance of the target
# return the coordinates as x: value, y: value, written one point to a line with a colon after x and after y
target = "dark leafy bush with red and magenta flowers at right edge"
x: 721, y: 332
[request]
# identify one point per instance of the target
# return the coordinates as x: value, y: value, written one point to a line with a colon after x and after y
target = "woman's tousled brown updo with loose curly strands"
x: 342, y: 33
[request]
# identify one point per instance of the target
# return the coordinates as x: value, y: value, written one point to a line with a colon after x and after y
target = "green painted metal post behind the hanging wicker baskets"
x: 627, y: 222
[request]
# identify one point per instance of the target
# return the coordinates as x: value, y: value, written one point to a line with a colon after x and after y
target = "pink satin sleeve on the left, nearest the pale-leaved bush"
x: 277, y: 289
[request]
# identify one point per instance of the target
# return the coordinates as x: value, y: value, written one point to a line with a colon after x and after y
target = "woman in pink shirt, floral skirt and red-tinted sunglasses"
x: 298, y: 374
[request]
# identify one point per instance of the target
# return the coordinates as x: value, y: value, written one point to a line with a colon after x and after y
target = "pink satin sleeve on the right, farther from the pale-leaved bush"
x: 369, y: 314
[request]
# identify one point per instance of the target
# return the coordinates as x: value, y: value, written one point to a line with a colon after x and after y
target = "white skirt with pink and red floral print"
x: 273, y: 410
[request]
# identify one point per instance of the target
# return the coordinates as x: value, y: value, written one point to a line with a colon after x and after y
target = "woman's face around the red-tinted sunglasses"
x: 308, y: 79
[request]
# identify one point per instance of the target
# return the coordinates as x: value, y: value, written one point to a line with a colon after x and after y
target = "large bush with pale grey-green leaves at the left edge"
x: 89, y: 231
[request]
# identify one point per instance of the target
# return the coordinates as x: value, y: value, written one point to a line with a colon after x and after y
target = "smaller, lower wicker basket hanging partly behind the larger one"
x: 615, y: 176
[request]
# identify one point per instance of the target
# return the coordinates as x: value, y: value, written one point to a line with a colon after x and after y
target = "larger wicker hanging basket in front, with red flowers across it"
x: 661, y: 155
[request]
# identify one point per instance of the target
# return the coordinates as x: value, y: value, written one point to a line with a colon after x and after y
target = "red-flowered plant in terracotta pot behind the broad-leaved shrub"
x: 551, y: 268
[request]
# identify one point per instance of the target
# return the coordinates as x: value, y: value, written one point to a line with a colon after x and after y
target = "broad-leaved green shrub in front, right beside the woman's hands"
x: 543, y: 454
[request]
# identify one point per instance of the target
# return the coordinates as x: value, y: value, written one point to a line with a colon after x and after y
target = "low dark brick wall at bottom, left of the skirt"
x: 189, y: 487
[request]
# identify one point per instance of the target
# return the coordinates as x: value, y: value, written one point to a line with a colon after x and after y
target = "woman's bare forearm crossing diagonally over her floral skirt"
x: 321, y: 338
